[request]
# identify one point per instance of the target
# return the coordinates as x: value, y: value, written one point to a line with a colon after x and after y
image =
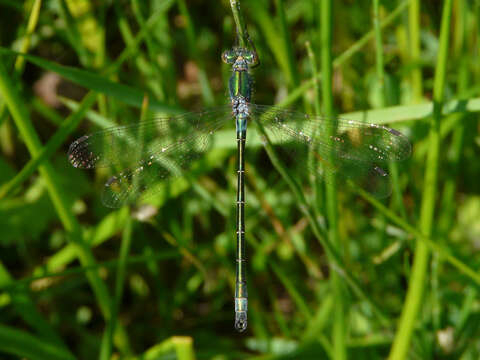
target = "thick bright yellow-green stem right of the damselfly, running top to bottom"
x: 414, y: 297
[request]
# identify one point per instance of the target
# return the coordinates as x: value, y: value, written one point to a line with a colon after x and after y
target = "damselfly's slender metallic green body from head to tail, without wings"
x: 240, y: 89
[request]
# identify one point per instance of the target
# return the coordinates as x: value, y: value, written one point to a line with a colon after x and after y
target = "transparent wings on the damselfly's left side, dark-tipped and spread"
x: 147, y: 152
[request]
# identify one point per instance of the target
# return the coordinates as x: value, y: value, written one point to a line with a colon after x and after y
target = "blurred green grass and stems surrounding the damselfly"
x: 81, y: 281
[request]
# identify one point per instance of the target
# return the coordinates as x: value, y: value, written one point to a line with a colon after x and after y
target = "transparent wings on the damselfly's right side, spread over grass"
x: 356, y: 151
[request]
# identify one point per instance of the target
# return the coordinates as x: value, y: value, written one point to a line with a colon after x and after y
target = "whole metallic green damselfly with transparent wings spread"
x: 163, y: 148
